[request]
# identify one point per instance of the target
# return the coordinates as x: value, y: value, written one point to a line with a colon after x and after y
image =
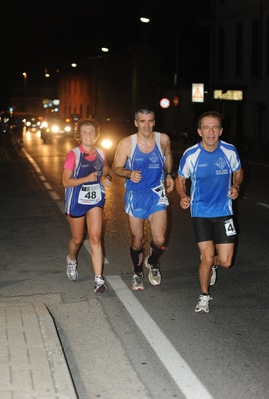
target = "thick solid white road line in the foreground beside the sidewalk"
x: 179, y: 370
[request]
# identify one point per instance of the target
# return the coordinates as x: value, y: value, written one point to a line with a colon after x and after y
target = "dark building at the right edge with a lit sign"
x: 240, y: 70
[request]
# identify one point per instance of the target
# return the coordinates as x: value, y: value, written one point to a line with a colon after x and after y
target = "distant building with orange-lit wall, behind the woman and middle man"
x: 107, y: 86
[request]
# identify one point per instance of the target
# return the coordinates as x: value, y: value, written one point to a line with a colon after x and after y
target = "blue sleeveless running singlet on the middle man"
x: 150, y: 164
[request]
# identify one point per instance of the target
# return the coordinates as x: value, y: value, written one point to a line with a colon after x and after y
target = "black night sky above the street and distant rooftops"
x: 38, y: 34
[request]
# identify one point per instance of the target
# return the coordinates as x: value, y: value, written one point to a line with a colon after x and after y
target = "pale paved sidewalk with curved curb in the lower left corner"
x: 32, y: 363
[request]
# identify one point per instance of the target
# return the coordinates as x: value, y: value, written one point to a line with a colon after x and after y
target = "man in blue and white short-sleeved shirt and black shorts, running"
x: 215, y: 171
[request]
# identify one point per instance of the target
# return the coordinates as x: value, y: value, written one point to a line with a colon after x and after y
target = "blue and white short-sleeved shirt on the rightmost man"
x: 211, y: 177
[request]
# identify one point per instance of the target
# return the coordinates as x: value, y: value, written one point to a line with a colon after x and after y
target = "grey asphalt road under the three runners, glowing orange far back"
x: 149, y: 344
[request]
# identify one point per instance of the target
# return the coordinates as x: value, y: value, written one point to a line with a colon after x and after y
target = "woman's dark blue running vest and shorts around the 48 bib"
x: 83, y: 168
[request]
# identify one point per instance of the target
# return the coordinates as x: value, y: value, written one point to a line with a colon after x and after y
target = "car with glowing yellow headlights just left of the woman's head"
x: 54, y: 125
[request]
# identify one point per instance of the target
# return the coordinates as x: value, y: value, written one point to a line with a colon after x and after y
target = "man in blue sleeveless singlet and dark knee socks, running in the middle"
x: 145, y: 161
